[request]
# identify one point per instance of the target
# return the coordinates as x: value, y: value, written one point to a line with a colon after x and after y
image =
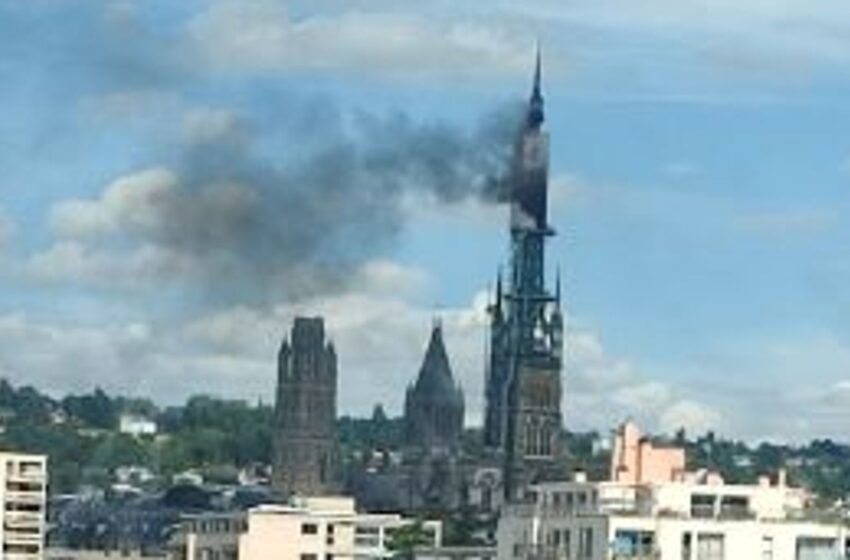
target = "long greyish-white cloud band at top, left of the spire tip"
x: 263, y: 35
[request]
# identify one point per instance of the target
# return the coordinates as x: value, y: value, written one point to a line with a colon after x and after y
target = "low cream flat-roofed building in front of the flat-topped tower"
x: 320, y: 528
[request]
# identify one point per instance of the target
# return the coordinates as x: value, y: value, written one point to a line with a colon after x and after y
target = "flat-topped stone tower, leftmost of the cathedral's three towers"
x: 304, y: 446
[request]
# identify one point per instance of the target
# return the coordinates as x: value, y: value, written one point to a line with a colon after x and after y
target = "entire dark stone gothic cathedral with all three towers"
x: 432, y: 470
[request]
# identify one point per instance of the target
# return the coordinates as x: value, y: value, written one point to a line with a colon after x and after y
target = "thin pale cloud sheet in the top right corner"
x: 787, y: 32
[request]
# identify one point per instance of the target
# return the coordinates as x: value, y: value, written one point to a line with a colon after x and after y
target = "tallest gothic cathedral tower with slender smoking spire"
x: 523, y: 385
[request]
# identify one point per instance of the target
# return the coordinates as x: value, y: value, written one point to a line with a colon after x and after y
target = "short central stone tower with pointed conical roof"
x: 433, y: 407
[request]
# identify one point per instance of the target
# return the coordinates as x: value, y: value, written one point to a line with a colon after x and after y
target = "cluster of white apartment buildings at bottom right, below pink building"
x: 689, y: 516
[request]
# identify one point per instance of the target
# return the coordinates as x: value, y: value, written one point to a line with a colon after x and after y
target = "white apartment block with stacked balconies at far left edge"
x: 23, y: 497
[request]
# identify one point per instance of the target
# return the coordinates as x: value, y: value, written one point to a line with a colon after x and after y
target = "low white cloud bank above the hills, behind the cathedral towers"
x: 380, y: 338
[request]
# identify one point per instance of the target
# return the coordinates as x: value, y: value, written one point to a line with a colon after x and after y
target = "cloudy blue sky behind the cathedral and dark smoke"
x: 700, y: 166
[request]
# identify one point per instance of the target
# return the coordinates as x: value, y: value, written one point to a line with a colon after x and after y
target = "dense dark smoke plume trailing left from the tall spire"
x: 260, y: 226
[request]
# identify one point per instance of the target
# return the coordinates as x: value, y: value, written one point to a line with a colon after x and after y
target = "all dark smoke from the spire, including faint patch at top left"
x: 289, y: 206
